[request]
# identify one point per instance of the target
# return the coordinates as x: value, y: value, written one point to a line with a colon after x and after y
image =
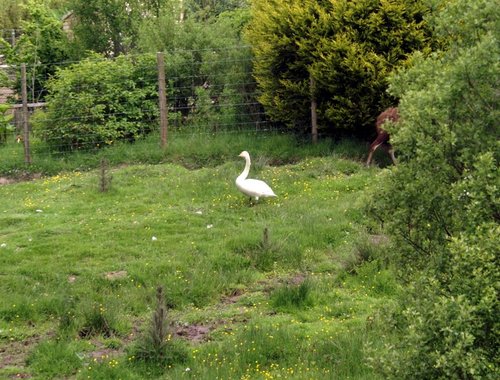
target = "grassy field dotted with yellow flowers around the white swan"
x: 279, y: 289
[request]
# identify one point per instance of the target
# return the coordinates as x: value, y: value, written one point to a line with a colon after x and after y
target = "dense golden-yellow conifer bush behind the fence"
x: 348, y: 47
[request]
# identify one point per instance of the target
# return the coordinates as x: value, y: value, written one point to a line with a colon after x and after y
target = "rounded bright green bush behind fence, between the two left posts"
x: 96, y: 103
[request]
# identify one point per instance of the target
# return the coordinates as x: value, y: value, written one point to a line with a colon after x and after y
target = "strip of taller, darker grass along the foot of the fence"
x: 191, y: 150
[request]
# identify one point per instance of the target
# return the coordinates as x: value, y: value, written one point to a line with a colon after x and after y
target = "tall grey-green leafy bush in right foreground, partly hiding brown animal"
x: 441, y: 203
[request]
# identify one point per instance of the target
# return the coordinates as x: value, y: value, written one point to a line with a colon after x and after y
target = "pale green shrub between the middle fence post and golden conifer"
x: 208, y: 66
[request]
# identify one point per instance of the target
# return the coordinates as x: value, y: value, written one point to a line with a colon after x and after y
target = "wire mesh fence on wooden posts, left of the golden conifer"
x: 64, y: 107
